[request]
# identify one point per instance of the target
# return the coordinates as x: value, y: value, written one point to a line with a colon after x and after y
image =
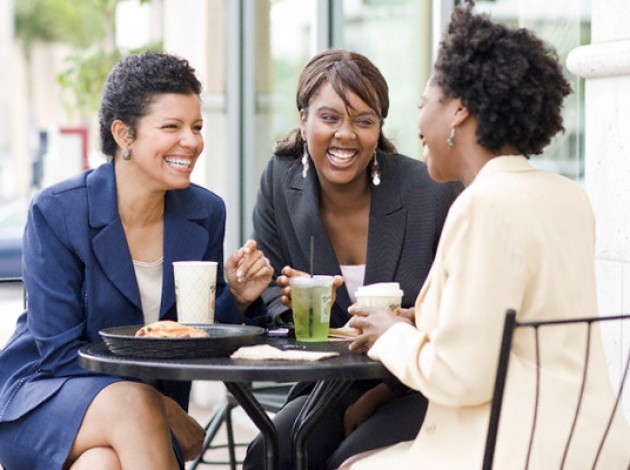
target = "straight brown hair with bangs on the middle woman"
x: 345, y: 71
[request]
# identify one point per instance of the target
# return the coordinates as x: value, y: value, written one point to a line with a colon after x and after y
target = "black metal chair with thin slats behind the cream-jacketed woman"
x: 512, y: 324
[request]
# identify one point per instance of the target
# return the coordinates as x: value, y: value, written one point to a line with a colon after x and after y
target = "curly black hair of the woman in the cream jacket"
x: 509, y: 79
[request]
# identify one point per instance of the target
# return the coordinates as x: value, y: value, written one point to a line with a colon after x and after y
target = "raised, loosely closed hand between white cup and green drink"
x: 249, y: 273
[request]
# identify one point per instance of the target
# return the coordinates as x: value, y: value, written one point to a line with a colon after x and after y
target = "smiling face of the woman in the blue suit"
x: 168, y: 142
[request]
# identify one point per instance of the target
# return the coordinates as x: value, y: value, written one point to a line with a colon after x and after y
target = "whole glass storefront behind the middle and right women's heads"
x: 280, y: 36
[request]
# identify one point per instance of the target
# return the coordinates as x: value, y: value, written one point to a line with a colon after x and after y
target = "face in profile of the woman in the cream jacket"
x: 436, y: 119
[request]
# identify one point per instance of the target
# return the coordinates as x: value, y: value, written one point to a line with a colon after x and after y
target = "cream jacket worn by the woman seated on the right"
x: 519, y: 238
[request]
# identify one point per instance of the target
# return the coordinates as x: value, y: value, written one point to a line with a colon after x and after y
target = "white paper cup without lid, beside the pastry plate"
x: 195, y: 290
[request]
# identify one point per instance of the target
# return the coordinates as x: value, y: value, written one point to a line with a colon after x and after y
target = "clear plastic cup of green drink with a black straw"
x: 311, y: 300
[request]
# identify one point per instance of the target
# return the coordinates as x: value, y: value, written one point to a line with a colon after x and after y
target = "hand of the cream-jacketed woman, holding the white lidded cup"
x: 371, y: 322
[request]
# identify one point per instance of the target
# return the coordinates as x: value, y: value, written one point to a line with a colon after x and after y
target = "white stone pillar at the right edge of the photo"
x: 605, y: 66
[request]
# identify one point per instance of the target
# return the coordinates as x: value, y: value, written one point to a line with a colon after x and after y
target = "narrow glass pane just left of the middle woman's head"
x: 282, y: 40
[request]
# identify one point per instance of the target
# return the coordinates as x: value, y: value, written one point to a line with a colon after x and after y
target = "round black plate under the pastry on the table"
x: 223, y: 340
